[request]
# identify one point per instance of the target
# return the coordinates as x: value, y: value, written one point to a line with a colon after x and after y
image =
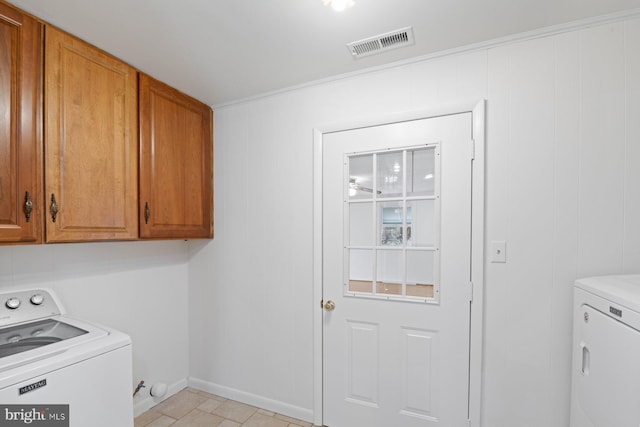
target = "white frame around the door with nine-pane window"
x: 477, y: 110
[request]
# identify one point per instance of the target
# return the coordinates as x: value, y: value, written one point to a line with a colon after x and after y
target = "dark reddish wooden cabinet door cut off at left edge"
x: 20, y: 128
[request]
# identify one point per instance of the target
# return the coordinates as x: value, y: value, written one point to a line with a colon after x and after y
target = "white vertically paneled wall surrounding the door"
x: 562, y: 188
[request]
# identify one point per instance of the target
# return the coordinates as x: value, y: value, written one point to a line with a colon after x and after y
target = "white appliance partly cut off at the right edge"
x: 606, y: 352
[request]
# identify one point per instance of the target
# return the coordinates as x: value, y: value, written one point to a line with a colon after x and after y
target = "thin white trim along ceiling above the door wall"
x: 475, y: 47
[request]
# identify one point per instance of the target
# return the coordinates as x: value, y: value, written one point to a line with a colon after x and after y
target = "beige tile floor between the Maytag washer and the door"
x: 195, y: 408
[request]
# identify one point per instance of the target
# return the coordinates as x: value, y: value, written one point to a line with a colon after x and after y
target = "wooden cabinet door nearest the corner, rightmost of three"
x: 176, y: 163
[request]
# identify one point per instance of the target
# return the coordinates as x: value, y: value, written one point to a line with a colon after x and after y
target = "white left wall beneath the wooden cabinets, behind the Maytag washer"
x: 139, y: 288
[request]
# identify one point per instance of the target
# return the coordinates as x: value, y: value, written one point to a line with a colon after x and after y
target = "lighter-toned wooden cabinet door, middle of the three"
x: 91, y: 142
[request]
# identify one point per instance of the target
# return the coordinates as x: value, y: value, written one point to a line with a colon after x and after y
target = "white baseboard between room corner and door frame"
x: 283, y: 408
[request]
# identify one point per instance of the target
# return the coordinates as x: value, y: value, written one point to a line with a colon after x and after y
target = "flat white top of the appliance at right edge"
x: 623, y: 290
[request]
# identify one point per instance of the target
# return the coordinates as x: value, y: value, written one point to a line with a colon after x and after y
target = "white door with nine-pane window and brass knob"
x: 396, y: 274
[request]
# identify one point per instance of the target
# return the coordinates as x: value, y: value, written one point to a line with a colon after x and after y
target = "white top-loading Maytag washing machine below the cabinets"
x: 49, y: 360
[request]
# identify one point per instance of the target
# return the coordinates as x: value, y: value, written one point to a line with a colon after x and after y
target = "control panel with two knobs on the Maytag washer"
x: 22, y: 306
